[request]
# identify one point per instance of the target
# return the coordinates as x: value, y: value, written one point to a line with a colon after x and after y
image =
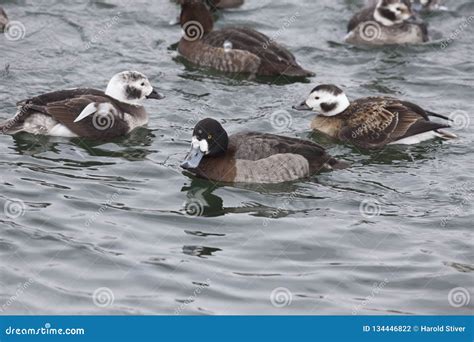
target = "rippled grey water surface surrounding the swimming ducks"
x: 392, y: 234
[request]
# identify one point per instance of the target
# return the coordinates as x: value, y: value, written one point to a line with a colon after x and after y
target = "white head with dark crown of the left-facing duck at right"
x: 326, y: 99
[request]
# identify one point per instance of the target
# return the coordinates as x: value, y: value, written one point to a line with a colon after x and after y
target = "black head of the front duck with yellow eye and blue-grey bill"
x: 209, y: 140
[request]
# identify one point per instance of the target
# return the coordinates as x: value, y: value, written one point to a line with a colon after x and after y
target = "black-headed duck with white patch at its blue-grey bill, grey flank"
x: 253, y: 157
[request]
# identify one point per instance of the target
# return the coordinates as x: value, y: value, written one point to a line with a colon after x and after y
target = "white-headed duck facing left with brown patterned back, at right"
x: 371, y: 122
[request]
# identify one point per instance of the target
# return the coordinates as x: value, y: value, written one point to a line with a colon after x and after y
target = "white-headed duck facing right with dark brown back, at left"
x: 85, y: 112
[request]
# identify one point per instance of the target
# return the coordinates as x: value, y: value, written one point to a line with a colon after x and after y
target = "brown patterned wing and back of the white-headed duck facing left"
x: 376, y: 121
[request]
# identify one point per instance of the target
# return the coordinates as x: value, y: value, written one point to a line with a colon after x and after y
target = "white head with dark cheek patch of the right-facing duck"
x: 131, y: 87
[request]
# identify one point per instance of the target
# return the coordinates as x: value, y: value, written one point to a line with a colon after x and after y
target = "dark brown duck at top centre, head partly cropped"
x: 232, y: 49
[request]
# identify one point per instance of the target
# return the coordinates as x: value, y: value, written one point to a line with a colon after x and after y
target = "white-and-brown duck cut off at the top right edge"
x: 388, y: 22
